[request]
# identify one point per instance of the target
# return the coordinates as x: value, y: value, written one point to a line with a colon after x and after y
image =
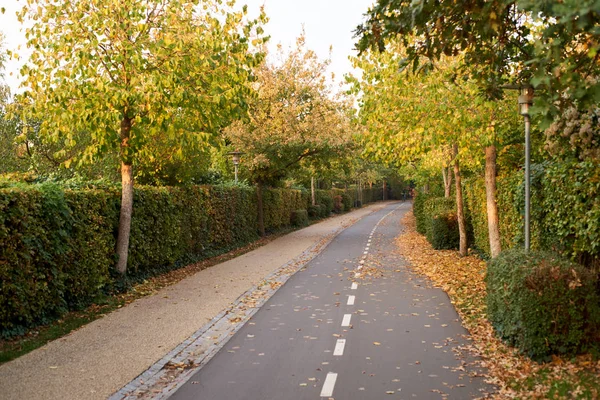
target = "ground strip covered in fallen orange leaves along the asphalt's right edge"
x: 514, y: 374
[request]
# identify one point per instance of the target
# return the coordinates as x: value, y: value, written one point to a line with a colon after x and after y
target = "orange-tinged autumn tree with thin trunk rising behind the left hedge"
x: 295, y: 117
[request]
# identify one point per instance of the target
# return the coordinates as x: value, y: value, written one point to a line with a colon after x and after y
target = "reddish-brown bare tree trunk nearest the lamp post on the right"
x: 492, y: 205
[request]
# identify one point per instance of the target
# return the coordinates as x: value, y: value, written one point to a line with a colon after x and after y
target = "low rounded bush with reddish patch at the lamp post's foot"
x: 543, y: 304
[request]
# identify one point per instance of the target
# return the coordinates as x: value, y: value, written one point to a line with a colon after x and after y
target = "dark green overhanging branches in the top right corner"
x: 553, y: 45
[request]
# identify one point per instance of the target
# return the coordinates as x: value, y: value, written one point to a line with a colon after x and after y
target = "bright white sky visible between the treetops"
x: 326, y: 23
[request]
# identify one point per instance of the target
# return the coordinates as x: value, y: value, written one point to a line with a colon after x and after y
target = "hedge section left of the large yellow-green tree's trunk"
x: 56, y: 248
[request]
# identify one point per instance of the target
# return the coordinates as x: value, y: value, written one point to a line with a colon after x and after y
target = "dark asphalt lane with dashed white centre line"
x: 354, y: 323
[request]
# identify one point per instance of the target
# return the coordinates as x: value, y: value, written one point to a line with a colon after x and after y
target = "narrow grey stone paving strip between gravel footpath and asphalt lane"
x: 163, y: 378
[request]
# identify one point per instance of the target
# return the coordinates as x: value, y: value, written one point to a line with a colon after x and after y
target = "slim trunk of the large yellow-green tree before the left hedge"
x: 126, y: 198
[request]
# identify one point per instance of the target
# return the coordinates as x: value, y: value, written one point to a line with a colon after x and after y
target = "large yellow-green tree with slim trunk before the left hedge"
x: 120, y: 73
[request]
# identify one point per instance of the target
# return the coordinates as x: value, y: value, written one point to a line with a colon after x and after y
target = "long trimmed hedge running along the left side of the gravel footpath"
x: 57, y: 244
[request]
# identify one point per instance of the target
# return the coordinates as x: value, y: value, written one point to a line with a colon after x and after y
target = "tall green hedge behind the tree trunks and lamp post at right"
x: 565, y: 209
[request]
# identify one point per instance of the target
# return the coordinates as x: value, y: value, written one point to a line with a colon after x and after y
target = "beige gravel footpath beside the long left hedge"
x: 103, y: 356
